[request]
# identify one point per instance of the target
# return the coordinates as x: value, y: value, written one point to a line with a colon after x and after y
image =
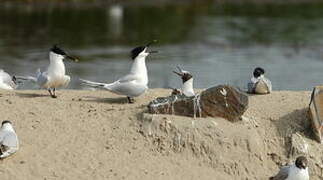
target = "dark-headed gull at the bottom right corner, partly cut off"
x: 297, y: 171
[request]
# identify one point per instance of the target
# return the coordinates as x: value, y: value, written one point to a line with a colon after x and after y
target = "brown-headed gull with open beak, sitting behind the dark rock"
x: 187, y: 78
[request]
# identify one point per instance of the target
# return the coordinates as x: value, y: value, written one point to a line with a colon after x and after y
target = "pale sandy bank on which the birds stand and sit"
x: 97, y: 135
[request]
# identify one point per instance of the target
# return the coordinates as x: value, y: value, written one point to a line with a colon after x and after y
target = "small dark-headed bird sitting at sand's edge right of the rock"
x: 259, y: 84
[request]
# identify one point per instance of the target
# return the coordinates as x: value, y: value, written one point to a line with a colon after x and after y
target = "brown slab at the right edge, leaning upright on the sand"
x: 316, y: 112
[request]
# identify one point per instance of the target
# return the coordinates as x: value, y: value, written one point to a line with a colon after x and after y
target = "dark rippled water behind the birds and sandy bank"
x: 218, y: 43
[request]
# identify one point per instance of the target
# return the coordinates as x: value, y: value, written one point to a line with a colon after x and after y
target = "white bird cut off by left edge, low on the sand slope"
x: 8, y: 140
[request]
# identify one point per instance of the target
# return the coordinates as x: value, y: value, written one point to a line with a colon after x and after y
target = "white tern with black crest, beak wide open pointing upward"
x: 133, y: 84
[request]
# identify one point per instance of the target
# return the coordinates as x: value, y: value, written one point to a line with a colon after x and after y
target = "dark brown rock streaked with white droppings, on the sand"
x: 220, y: 101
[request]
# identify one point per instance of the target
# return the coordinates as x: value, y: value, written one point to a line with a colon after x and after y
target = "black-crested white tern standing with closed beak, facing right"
x: 55, y: 76
